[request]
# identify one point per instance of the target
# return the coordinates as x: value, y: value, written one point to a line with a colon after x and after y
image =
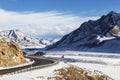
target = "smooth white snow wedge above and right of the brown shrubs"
x: 112, y: 71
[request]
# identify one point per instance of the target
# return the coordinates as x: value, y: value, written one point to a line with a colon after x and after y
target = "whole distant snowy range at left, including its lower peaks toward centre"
x: 24, y: 40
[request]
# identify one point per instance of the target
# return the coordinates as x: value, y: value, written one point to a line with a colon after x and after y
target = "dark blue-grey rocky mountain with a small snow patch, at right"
x: 99, y: 35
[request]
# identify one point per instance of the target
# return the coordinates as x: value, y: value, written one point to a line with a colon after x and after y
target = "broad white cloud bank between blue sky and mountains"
x: 41, y: 23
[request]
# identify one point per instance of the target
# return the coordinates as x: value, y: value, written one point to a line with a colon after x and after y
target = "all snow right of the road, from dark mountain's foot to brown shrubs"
x: 111, y: 68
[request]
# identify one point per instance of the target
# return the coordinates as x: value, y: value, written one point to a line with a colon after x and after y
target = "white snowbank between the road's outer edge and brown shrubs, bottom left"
x: 35, y: 74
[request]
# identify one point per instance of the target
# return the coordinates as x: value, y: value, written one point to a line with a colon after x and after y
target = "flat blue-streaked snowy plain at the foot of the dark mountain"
x: 87, y: 57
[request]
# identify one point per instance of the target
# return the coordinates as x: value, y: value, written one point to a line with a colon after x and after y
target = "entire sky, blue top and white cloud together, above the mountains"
x: 51, y: 18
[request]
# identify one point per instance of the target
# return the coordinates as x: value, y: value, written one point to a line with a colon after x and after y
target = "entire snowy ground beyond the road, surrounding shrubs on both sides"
x: 105, y: 62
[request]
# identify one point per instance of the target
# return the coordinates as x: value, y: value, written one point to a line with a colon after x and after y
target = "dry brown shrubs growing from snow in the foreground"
x: 76, y: 73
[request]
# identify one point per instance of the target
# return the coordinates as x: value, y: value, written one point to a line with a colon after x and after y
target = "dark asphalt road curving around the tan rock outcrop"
x: 38, y: 61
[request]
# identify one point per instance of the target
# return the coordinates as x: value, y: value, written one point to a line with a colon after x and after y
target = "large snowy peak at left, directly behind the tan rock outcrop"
x: 20, y: 38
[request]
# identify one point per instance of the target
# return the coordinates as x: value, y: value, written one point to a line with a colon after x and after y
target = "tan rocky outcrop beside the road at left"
x: 10, y: 54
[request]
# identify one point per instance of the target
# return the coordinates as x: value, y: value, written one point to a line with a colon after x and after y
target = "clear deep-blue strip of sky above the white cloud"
x: 77, y: 7
